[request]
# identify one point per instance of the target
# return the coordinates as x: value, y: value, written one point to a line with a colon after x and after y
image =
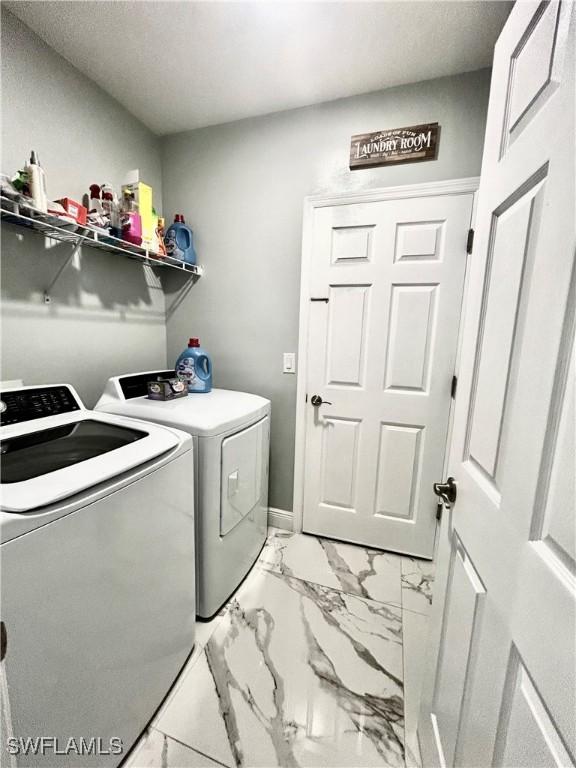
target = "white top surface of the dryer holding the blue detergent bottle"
x: 203, y: 414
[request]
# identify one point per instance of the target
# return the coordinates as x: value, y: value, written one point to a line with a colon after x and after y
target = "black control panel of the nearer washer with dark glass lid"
x: 19, y: 405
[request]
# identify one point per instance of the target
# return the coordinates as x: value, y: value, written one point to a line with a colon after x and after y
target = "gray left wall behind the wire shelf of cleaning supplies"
x: 107, y: 316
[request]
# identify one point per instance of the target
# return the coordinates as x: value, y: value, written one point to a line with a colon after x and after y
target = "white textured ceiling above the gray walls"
x: 179, y: 65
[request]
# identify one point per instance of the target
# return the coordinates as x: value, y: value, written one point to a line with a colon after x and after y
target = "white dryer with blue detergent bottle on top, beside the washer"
x: 231, y: 432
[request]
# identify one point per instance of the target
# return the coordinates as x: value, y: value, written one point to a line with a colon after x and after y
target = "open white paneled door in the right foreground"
x: 501, y: 687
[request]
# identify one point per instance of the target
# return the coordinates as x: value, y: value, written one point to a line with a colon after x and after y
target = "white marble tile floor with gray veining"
x: 316, y: 661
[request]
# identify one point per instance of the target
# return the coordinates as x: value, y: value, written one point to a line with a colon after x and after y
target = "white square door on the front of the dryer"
x: 243, y: 455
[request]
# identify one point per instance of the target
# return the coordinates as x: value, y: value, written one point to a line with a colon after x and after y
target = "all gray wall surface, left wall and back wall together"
x: 241, y: 186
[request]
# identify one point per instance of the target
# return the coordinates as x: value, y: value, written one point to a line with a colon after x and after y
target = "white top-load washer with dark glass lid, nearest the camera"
x: 97, y: 576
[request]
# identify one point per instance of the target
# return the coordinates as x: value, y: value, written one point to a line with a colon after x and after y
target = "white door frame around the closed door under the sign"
x: 462, y: 186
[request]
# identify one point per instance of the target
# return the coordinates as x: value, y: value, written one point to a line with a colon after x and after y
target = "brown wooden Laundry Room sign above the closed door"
x: 398, y: 145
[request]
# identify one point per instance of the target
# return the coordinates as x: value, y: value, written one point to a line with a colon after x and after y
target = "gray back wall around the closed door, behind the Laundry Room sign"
x: 241, y: 187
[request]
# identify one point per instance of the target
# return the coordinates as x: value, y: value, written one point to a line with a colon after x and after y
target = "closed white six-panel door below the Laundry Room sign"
x: 385, y: 292
